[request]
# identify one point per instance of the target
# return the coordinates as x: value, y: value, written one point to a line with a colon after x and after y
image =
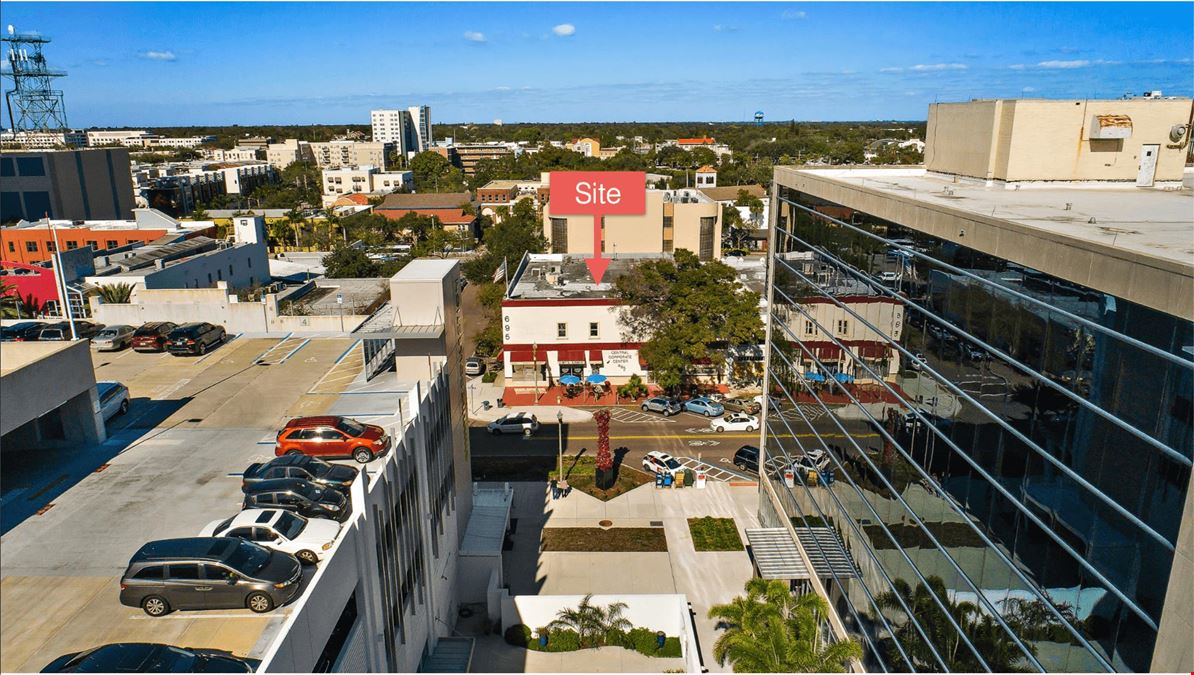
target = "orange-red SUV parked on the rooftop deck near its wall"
x: 333, y: 438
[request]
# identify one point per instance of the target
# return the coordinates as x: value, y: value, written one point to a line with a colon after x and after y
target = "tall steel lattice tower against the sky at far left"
x: 34, y: 105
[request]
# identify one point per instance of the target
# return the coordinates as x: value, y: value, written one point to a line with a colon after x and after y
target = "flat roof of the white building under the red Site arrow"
x: 551, y: 277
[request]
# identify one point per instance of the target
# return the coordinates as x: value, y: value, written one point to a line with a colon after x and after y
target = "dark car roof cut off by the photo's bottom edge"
x: 149, y: 658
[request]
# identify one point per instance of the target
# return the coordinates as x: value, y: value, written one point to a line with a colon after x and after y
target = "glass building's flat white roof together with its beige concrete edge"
x: 1133, y: 243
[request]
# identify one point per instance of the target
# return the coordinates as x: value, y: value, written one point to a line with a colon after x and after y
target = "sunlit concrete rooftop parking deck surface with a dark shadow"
x: 171, y: 465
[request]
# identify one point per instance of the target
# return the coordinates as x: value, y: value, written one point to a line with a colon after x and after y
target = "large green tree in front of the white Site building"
x: 688, y: 312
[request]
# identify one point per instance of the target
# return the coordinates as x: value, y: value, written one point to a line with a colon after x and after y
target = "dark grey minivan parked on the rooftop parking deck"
x: 204, y: 573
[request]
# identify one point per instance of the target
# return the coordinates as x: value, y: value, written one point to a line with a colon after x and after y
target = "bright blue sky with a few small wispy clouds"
x: 159, y: 64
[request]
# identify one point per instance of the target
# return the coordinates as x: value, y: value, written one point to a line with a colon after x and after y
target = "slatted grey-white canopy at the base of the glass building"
x: 778, y: 559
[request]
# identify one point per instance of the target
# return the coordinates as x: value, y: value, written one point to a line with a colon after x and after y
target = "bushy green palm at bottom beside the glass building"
x: 770, y: 630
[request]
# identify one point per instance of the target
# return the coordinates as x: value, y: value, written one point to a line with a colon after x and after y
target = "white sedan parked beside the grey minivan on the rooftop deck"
x: 307, y: 539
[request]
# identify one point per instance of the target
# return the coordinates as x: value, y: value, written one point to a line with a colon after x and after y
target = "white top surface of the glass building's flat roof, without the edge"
x: 1153, y: 223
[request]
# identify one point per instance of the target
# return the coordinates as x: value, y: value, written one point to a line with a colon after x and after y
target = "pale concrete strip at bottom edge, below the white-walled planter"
x: 494, y: 655
